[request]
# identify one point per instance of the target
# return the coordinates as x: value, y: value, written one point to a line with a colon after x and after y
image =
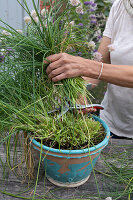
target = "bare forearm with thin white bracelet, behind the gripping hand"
x: 121, y: 75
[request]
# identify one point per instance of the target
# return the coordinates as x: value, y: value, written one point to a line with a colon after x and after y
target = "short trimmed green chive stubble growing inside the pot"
x: 71, y: 132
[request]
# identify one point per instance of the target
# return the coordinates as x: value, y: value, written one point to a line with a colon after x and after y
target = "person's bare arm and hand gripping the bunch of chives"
x: 66, y: 66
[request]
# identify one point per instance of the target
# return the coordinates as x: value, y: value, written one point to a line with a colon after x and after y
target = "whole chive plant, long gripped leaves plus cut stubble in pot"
x: 26, y: 93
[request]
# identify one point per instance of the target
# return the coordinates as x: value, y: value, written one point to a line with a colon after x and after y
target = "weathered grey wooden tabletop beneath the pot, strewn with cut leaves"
x: 118, y: 154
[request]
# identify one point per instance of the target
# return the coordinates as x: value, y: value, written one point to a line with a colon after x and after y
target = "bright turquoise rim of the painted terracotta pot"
x: 97, y: 147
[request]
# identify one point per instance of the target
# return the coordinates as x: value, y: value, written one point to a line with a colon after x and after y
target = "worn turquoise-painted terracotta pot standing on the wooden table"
x: 71, y: 168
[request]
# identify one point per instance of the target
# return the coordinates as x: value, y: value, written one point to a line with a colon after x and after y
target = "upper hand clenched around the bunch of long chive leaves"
x: 63, y: 66
